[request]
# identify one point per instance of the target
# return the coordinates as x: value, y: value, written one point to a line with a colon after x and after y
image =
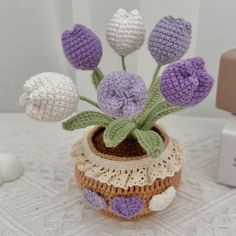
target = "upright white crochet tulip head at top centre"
x: 125, y: 32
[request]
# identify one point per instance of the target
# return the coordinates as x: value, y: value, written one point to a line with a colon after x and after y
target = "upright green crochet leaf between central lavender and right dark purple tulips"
x: 154, y: 98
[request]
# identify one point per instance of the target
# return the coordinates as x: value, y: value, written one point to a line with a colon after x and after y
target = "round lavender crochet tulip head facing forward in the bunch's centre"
x: 122, y: 95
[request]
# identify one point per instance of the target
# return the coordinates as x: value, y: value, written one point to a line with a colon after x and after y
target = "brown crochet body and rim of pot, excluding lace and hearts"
x: 108, y: 191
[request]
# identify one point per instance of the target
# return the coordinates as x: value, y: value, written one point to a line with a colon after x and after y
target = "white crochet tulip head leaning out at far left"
x: 49, y: 96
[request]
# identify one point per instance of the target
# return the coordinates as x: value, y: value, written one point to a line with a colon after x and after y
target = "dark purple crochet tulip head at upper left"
x: 82, y: 48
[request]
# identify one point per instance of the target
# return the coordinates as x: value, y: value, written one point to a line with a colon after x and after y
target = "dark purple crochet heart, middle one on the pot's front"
x: 126, y: 206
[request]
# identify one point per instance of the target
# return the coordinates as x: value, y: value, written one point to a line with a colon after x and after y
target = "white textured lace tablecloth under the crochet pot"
x: 45, y: 201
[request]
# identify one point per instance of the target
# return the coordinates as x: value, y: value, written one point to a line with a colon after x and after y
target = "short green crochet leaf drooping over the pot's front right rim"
x: 150, y: 140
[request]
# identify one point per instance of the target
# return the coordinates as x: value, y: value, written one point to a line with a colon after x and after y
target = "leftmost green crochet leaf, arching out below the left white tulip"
x: 85, y: 119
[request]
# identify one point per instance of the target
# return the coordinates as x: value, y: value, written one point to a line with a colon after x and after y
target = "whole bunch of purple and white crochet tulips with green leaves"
x: 128, y: 108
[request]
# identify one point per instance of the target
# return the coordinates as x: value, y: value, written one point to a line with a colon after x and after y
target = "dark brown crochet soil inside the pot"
x: 127, y: 148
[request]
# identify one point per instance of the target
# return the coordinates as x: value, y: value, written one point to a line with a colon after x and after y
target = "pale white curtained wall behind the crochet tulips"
x: 30, y: 40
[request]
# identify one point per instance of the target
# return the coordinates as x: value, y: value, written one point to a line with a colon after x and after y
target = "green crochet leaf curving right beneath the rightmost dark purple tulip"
x: 160, y: 110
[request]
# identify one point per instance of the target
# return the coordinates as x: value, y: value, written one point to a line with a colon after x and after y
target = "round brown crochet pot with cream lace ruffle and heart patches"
x: 127, y: 187
